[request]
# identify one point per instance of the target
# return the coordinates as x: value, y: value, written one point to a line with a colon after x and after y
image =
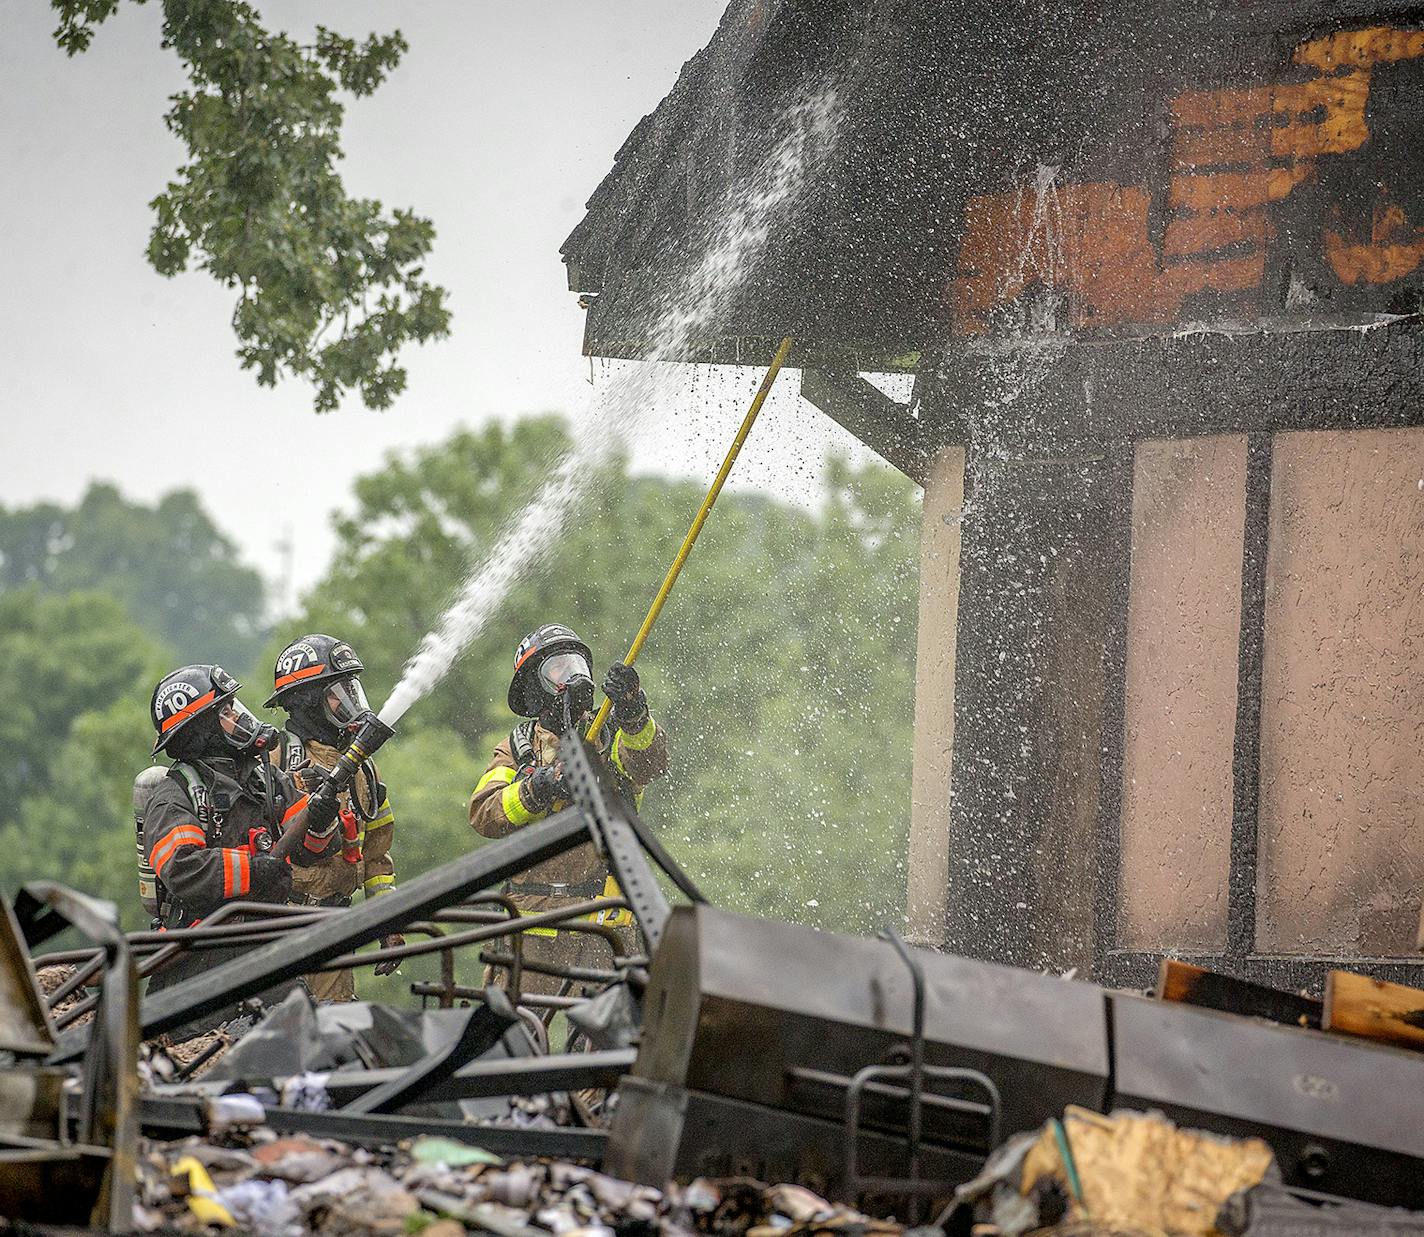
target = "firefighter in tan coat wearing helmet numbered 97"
x: 317, y: 680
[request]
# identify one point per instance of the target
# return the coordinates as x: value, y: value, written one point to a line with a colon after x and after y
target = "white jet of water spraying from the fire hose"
x: 624, y: 408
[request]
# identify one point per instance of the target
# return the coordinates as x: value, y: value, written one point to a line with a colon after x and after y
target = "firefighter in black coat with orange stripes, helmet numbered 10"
x: 210, y: 823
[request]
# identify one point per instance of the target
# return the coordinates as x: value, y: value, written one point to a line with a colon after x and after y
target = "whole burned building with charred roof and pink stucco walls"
x: 1157, y: 270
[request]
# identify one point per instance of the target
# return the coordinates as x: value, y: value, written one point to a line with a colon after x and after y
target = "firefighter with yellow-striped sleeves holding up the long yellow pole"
x: 553, y: 688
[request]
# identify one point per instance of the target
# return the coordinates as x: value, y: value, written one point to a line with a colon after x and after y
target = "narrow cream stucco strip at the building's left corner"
x: 929, y: 863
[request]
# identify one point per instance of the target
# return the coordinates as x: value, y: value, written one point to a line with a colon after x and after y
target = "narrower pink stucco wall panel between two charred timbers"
x: 1184, y: 634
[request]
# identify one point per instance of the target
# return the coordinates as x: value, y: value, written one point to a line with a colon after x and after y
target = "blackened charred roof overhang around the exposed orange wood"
x: 945, y: 102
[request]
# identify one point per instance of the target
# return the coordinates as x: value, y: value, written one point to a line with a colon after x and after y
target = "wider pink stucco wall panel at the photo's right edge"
x: 1342, y: 778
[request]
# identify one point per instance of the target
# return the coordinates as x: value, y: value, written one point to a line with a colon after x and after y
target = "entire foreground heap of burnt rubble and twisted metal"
x: 743, y: 1077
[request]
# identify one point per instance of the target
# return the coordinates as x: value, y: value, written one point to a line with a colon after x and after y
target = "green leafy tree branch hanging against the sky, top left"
x: 331, y: 288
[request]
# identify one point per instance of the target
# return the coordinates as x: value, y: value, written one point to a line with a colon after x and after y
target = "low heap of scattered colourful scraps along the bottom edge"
x: 286, y: 1186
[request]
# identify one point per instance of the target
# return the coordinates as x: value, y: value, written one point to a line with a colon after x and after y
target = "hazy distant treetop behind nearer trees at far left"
x: 169, y: 566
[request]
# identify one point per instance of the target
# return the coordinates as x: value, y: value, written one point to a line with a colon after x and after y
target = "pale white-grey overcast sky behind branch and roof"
x: 499, y: 123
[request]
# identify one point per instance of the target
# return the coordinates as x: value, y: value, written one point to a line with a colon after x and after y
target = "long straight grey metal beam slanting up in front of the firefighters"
x: 300, y: 953
